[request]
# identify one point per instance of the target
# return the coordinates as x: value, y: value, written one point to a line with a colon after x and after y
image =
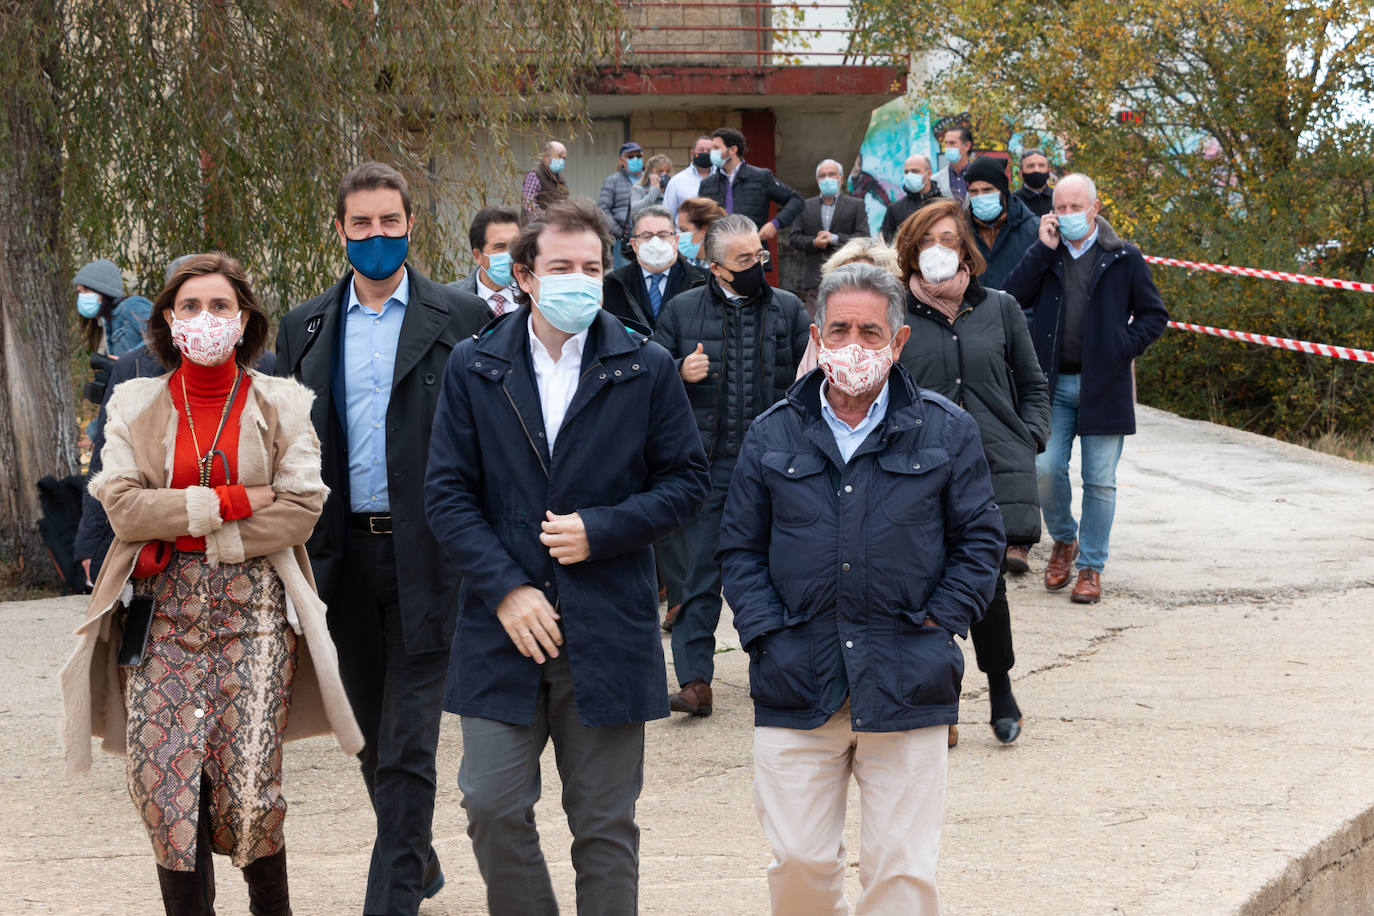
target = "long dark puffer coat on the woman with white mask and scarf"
x: 986, y: 363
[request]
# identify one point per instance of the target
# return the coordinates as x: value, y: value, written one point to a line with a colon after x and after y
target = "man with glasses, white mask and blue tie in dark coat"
x: 638, y: 292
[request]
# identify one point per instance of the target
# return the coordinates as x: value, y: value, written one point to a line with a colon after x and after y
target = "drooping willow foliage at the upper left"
x: 226, y: 124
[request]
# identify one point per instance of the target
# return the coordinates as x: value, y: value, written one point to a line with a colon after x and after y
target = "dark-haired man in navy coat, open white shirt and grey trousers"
x: 563, y: 450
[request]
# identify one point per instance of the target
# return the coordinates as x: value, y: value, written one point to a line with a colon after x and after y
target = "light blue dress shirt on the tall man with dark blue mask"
x: 370, y: 341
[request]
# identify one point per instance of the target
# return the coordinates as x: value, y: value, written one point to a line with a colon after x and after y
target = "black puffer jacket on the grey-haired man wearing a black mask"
x: 754, y: 348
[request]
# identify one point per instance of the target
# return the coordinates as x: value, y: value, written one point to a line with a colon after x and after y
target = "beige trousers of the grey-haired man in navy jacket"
x: 802, y: 779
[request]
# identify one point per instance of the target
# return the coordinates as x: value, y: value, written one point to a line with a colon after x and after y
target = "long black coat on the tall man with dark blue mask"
x: 308, y: 344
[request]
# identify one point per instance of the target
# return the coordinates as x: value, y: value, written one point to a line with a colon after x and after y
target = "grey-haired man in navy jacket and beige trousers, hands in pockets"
x: 861, y: 538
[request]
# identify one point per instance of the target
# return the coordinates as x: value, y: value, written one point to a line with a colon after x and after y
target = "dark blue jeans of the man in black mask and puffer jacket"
x: 695, y: 628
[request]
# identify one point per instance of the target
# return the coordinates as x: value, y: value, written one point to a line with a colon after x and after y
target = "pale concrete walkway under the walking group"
x: 1186, y: 741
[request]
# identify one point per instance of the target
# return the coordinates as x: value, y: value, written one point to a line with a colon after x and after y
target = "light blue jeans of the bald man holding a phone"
x: 1100, y: 457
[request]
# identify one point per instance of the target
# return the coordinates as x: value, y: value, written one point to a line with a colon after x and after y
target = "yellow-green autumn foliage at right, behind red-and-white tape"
x: 1252, y: 145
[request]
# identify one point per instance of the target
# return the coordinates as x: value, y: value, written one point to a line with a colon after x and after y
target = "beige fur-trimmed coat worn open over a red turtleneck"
x: 278, y: 447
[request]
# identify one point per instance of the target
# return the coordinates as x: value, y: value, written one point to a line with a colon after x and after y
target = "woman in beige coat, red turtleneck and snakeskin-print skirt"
x: 212, y: 484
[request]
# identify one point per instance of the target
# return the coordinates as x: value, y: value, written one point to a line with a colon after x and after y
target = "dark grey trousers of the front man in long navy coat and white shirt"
x: 602, y: 772
